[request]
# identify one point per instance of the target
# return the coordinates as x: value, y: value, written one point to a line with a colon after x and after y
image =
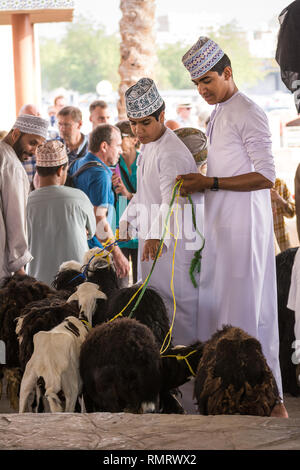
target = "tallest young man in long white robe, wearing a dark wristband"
x: 238, y: 278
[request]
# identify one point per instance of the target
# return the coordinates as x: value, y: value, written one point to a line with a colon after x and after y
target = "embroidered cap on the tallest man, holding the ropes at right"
x: 202, y: 57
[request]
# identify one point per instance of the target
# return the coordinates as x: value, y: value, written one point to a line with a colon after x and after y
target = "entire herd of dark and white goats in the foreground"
x: 78, y: 347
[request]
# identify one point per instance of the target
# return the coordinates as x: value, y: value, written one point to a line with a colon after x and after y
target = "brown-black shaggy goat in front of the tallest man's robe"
x: 233, y: 376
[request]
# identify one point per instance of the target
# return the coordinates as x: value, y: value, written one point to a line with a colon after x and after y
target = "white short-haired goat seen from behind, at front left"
x: 54, y: 366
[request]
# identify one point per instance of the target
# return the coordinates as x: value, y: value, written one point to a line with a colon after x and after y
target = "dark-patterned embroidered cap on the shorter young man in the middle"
x: 142, y: 99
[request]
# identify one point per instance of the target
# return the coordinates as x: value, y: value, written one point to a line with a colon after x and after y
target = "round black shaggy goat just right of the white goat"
x: 120, y: 368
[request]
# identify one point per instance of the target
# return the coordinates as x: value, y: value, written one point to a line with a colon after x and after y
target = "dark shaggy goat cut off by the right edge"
x: 286, y: 321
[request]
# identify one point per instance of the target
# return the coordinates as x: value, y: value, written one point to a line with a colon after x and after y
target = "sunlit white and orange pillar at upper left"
x: 22, y: 31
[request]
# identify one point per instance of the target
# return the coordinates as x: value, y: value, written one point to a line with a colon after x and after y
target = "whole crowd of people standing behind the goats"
x: 73, y: 191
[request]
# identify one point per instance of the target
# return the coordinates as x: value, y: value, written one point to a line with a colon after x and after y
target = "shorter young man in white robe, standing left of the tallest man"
x: 163, y: 155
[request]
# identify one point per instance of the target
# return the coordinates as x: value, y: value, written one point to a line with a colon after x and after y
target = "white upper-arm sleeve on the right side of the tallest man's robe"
x: 256, y: 138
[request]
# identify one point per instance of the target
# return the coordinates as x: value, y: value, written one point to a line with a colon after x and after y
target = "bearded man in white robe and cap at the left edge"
x: 18, y: 145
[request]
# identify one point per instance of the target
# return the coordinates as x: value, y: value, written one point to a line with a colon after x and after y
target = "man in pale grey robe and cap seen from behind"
x: 59, y: 218
